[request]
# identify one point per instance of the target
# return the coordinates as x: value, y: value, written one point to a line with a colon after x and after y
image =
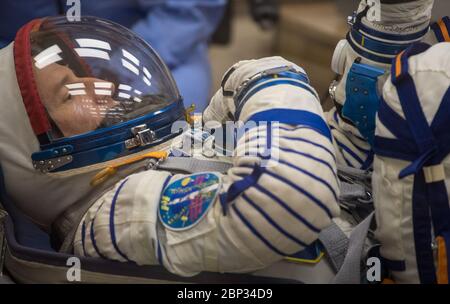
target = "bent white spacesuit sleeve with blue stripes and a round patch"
x: 269, y: 205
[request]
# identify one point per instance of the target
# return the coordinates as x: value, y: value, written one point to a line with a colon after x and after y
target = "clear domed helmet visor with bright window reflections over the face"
x: 95, y: 74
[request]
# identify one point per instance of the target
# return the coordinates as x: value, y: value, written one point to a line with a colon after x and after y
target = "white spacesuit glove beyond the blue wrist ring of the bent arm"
x: 223, y: 104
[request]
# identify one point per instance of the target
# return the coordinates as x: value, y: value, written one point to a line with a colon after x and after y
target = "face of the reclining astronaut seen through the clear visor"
x: 71, y: 101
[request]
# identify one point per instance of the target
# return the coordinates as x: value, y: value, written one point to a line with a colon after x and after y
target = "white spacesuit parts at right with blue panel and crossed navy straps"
x: 409, y: 144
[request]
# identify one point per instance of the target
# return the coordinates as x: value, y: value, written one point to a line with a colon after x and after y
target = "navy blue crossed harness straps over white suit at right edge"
x: 425, y: 146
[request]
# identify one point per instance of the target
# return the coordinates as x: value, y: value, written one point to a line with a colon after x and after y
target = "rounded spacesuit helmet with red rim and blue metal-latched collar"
x: 93, y: 92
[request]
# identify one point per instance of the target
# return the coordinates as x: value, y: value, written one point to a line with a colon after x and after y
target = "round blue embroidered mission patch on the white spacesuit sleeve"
x: 186, y: 201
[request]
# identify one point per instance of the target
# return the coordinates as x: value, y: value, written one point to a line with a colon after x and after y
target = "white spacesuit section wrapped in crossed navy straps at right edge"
x: 411, y: 167
